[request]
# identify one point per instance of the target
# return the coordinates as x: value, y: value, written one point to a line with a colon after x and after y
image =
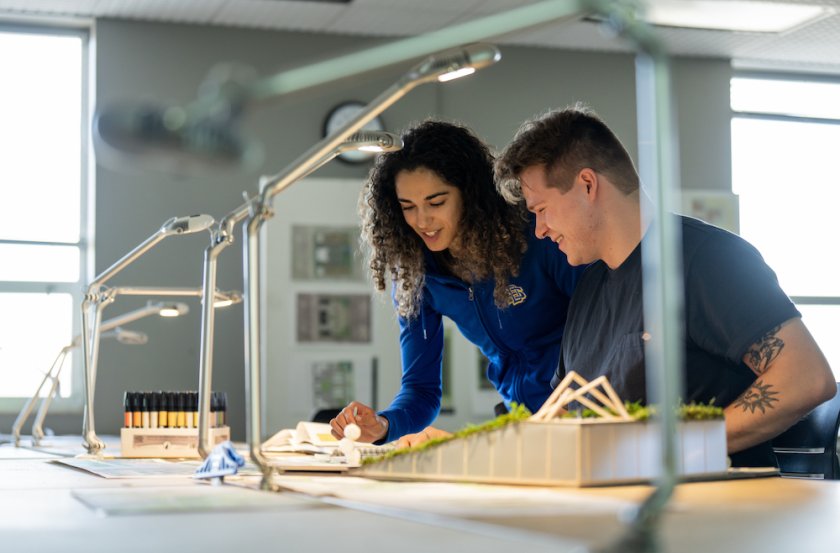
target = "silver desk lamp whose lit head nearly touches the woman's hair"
x: 222, y: 237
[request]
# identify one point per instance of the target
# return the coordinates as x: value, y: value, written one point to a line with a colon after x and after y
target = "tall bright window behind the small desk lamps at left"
x: 43, y: 208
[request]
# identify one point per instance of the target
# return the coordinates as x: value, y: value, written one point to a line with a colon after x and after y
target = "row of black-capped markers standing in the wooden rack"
x: 171, y: 409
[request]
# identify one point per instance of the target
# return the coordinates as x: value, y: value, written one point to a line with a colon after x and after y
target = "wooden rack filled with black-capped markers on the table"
x: 165, y: 424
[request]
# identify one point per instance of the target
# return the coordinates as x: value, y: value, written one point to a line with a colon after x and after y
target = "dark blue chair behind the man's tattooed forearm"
x: 808, y: 449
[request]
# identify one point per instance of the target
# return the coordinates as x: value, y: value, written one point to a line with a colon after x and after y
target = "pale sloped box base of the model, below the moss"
x: 568, y: 452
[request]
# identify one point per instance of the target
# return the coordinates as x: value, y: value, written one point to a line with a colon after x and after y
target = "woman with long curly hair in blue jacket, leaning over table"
x: 435, y: 228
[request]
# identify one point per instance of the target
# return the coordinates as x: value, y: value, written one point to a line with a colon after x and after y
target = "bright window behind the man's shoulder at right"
x: 786, y: 170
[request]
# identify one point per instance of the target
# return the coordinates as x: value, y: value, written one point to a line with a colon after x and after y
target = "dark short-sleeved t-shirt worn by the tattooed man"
x: 732, y: 298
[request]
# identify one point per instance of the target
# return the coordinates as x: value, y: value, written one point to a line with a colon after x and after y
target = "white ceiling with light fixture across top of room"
x: 814, y: 47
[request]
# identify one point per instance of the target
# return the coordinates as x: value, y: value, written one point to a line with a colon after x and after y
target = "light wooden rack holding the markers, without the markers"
x: 167, y: 443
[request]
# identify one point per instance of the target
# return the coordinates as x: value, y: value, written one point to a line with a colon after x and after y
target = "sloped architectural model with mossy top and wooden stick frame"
x: 608, y: 445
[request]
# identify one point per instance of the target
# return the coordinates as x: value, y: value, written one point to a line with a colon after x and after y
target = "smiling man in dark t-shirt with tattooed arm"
x: 745, y: 344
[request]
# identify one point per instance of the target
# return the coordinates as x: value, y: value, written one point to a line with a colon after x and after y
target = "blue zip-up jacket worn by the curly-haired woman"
x: 522, y: 342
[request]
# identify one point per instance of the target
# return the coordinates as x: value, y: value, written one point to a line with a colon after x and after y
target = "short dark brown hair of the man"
x: 564, y: 142
